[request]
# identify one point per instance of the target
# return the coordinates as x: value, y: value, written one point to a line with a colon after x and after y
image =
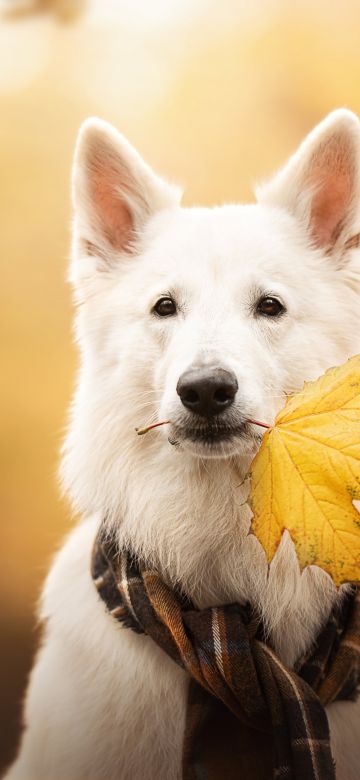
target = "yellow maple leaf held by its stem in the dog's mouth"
x: 306, y: 475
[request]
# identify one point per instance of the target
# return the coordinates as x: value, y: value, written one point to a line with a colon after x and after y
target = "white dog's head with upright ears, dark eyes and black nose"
x: 205, y: 317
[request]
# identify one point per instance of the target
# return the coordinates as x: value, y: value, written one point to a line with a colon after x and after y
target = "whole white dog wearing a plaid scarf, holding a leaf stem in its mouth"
x: 203, y: 317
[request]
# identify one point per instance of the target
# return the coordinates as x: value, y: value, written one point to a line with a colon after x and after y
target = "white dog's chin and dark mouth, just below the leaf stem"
x: 215, y: 440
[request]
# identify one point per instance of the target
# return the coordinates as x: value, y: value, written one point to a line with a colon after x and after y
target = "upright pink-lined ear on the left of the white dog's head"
x: 114, y: 193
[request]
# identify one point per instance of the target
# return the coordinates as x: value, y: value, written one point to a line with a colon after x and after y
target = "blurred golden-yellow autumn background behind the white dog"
x: 215, y: 96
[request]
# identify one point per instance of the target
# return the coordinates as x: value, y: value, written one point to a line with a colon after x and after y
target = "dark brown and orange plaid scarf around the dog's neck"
x: 248, y: 715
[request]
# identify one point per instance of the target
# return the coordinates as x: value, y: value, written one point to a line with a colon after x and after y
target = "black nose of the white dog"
x: 207, y: 391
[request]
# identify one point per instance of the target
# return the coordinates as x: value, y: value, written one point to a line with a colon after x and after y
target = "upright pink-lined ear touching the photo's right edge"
x: 320, y: 183
